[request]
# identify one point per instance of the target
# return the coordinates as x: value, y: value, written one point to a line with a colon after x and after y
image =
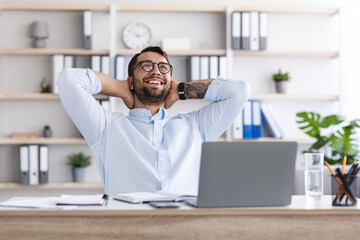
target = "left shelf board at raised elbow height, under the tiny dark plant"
x: 38, y: 96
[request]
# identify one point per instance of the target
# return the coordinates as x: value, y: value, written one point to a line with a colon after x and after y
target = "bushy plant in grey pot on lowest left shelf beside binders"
x: 79, y: 162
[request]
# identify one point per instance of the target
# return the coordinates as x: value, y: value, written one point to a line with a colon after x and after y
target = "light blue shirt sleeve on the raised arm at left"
x: 76, y: 87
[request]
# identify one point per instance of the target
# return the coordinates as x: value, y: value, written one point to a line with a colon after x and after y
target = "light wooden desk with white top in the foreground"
x: 303, y: 219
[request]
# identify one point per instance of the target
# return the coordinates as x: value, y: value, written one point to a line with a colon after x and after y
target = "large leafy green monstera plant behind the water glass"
x: 342, y: 142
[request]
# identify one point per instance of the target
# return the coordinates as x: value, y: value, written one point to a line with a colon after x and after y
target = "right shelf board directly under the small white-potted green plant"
x: 295, y: 97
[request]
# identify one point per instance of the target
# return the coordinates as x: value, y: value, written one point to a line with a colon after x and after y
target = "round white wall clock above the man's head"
x: 137, y: 35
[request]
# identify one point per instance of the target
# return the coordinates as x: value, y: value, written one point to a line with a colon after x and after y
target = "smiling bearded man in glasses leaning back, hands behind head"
x: 149, y: 150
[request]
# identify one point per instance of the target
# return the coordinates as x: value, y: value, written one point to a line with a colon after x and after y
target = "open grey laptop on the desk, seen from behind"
x: 246, y: 174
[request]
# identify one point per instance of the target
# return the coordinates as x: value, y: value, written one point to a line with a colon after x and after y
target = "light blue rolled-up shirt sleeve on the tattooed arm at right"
x: 229, y: 98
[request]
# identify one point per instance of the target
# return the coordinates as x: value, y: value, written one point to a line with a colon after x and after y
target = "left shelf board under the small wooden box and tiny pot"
x: 49, y: 141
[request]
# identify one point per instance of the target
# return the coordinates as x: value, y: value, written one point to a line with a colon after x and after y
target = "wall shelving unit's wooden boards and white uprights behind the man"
x: 111, y: 49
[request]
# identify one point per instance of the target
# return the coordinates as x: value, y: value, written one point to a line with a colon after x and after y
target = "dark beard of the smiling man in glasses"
x: 149, y: 96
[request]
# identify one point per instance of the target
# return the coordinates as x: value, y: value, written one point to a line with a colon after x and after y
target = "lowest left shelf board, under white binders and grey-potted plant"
x: 52, y: 186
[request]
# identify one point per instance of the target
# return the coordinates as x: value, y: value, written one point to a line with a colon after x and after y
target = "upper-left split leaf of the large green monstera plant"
x: 311, y: 120
